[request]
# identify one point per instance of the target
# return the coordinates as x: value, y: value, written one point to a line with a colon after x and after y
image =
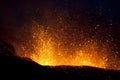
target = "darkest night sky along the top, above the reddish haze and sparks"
x: 14, y: 11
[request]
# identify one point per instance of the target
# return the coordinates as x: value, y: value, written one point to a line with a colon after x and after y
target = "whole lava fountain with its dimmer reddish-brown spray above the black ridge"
x: 54, y: 47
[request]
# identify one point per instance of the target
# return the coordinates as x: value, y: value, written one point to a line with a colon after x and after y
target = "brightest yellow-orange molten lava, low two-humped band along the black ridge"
x: 49, y: 55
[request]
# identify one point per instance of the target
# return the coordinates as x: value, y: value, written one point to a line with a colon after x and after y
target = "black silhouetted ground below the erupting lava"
x: 14, y: 68
